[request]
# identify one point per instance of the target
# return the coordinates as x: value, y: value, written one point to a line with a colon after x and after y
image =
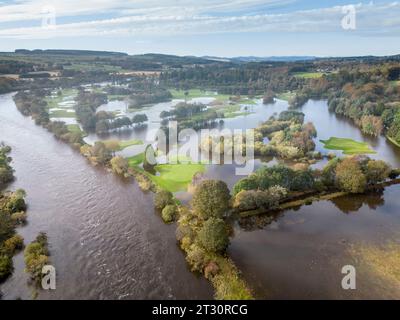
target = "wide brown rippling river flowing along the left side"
x: 106, y: 241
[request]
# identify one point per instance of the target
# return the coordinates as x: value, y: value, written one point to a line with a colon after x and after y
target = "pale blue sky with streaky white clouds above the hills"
x: 204, y: 27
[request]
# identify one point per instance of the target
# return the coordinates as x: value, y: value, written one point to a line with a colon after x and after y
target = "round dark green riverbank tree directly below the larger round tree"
x: 213, y: 236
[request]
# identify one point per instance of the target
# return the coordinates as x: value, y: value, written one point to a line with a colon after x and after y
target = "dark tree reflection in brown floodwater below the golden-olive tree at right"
x: 353, y: 203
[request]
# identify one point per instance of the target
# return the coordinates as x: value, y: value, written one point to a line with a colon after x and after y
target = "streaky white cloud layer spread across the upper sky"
x: 145, y: 18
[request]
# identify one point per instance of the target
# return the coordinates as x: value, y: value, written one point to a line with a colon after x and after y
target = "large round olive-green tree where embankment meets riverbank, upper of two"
x: 211, y: 199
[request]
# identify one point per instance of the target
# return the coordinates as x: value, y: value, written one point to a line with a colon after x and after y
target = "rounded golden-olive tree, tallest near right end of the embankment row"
x: 349, y: 176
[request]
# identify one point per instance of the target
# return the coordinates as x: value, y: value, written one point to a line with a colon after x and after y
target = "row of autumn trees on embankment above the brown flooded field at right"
x: 266, y: 187
